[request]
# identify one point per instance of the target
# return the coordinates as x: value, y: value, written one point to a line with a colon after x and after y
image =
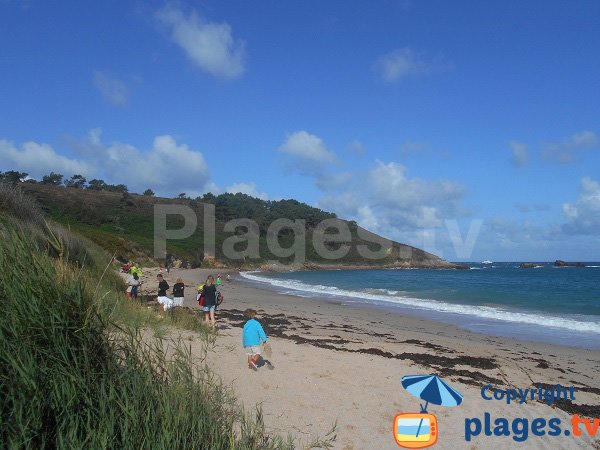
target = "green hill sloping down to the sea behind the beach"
x: 123, y: 224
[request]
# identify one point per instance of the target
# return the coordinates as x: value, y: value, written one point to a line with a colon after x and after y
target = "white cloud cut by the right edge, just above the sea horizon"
x: 584, y: 214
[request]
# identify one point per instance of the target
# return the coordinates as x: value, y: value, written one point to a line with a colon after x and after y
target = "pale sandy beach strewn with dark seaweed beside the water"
x: 338, y: 364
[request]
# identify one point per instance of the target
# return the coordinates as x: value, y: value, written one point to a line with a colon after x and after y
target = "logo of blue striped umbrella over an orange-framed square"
x: 420, y: 430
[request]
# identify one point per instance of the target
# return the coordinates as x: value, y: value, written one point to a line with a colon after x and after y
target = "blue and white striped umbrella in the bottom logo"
x: 432, y: 389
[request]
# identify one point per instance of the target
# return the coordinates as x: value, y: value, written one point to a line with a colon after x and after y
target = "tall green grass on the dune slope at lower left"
x: 78, y: 369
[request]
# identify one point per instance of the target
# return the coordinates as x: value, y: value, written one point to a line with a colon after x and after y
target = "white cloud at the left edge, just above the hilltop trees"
x: 39, y: 160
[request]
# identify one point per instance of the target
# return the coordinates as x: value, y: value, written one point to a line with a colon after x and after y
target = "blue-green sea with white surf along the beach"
x: 559, y: 305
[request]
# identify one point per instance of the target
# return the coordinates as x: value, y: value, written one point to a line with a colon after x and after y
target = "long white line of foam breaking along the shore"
x: 391, y: 297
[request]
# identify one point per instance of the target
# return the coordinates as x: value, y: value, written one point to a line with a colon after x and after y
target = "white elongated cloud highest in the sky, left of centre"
x: 209, y: 45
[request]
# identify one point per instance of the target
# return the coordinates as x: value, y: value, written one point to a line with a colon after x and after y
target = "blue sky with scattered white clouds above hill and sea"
x: 470, y: 129
